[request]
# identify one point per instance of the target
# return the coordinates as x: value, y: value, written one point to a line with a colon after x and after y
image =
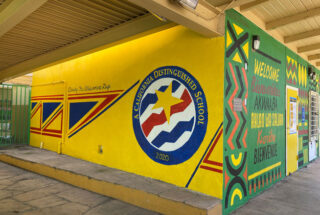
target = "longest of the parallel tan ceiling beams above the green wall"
x: 292, y: 18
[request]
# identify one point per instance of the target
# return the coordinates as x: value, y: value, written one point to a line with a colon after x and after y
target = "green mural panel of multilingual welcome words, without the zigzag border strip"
x: 267, y: 110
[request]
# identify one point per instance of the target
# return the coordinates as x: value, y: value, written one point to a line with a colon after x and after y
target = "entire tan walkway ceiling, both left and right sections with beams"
x: 34, y: 33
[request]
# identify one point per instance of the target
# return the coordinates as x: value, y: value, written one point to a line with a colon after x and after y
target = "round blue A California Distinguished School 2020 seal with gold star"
x: 170, y: 115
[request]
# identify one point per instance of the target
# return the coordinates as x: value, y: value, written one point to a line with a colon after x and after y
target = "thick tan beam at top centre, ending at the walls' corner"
x: 205, y: 20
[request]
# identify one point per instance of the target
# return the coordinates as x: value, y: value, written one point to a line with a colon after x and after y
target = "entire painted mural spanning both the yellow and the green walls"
x: 205, y: 114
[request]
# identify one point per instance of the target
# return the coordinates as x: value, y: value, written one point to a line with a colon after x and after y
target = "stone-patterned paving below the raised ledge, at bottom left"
x: 26, y: 193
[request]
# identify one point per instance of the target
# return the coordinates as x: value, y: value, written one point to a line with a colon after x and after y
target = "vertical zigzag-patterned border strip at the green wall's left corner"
x: 235, y: 133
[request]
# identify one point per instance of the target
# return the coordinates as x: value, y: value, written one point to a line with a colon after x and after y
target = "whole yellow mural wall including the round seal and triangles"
x: 153, y: 109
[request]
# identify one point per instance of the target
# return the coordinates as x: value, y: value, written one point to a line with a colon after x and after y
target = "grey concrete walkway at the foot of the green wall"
x: 298, y: 194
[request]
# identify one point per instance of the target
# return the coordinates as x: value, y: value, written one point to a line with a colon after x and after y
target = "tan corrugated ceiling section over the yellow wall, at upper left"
x: 34, y: 33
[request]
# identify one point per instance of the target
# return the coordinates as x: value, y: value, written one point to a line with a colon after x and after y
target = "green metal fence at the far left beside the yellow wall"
x: 14, y: 114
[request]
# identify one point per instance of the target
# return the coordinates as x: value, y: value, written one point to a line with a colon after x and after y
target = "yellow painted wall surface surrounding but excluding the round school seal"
x: 118, y: 68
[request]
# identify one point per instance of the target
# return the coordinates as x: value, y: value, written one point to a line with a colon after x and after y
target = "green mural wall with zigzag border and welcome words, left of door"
x: 254, y: 138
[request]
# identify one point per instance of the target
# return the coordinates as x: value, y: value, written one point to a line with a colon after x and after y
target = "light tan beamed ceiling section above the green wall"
x: 296, y: 23
